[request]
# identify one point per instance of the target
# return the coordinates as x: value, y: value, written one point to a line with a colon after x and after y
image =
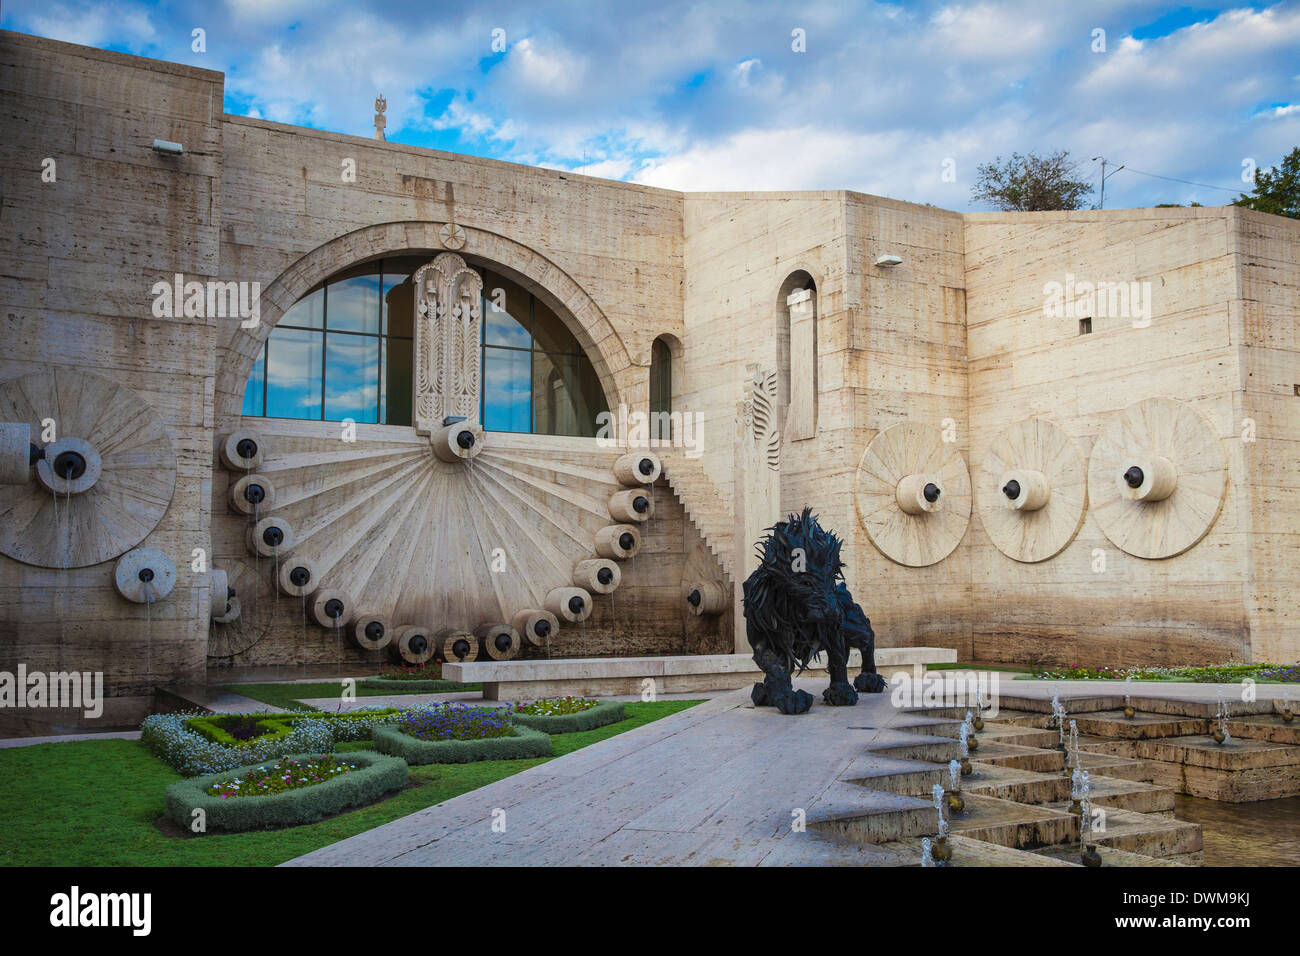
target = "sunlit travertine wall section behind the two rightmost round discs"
x: 1189, y: 608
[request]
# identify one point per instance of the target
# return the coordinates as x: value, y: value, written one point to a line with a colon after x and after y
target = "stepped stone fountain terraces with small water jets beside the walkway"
x: 1019, y: 808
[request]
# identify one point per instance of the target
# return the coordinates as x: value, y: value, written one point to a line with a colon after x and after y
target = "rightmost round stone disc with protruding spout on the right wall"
x: 1156, y: 479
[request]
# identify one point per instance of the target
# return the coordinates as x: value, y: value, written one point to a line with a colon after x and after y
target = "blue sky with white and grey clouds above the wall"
x: 895, y: 100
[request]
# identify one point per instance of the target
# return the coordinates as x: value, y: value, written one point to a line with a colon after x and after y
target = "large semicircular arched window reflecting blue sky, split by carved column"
x: 345, y: 352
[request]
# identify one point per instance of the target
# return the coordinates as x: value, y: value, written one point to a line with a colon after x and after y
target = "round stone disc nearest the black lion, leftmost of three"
x: 913, y: 495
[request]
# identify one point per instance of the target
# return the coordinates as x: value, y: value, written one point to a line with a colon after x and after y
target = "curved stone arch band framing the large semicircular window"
x: 595, y: 332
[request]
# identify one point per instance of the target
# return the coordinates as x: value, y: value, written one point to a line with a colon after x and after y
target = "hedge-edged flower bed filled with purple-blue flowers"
x: 452, y: 734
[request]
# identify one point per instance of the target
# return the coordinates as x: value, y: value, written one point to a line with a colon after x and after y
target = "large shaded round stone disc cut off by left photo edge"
x: 107, y: 481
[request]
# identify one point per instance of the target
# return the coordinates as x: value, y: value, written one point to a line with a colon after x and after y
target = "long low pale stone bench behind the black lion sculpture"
x: 605, y: 677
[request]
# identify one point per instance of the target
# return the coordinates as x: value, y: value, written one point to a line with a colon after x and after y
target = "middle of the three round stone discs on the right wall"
x: 1032, y: 491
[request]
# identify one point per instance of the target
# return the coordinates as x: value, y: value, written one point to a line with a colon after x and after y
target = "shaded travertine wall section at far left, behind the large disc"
x: 80, y: 258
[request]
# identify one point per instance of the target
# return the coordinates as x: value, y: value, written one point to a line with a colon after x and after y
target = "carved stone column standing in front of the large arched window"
x: 448, y: 335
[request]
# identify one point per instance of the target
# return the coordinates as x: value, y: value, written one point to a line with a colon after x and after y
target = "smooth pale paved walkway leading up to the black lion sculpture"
x: 714, y: 785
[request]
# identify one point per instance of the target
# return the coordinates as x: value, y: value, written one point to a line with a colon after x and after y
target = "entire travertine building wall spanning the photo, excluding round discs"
x: 955, y: 334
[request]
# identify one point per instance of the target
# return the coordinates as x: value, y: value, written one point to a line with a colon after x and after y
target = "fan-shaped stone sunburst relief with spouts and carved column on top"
x: 439, y: 526
